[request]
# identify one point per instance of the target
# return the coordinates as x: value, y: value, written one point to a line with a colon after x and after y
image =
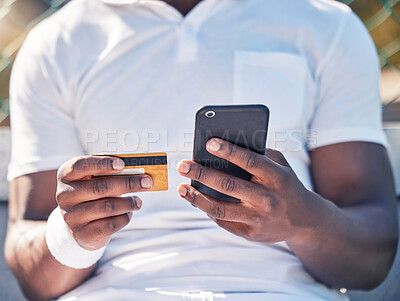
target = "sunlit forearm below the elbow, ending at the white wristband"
x: 41, y: 277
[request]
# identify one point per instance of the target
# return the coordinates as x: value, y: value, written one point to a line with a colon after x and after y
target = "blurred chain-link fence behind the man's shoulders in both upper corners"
x: 17, y: 17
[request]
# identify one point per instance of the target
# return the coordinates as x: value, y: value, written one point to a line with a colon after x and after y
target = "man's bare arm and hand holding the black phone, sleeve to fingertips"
x: 345, y: 233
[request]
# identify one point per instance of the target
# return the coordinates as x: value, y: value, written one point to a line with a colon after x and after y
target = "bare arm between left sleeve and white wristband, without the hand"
x: 32, y: 198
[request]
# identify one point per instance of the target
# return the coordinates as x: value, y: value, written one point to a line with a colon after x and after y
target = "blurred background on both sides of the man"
x: 381, y: 17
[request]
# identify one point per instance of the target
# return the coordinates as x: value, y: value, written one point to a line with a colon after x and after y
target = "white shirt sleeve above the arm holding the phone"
x: 348, y: 106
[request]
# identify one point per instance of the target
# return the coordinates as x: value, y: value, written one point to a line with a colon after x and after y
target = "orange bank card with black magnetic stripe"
x: 153, y: 164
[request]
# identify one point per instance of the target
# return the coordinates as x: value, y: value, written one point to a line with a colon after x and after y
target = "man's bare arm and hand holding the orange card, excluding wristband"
x: 90, y: 210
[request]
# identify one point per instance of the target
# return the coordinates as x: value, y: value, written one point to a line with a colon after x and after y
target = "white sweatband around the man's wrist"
x: 63, y: 246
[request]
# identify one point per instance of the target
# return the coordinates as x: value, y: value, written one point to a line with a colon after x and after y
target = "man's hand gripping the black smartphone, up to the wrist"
x: 273, y: 205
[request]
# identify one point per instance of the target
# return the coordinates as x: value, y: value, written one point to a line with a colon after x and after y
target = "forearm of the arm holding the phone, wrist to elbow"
x: 349, y: 247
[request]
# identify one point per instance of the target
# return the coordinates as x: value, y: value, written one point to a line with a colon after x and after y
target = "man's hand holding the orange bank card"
x: 91, y: 206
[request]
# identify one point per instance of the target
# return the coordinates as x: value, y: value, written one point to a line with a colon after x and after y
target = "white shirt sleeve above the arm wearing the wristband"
x: 42, y: 125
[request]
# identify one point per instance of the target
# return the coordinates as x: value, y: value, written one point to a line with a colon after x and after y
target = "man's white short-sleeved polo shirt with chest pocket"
x: 128, y: 76
